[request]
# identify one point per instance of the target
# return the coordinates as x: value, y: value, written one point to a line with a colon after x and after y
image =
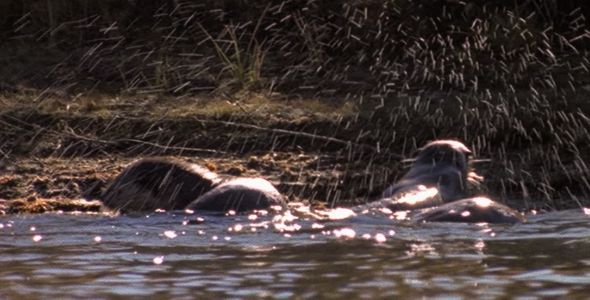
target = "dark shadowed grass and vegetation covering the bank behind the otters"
x: 358, y: 81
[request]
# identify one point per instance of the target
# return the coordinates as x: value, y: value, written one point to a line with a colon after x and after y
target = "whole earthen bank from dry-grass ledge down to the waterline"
x: 48, y: 161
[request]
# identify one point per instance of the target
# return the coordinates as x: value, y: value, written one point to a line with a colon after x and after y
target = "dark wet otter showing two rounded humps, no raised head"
x: 169, y: 184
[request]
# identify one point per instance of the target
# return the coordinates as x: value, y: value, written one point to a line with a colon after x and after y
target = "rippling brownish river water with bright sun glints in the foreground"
x: 179, y: 256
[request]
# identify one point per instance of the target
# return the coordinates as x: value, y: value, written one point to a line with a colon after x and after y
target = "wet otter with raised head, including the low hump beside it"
x: 436, y: 189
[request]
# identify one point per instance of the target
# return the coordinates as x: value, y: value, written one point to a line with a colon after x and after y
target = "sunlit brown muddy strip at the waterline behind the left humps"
x: 37, y: 185
